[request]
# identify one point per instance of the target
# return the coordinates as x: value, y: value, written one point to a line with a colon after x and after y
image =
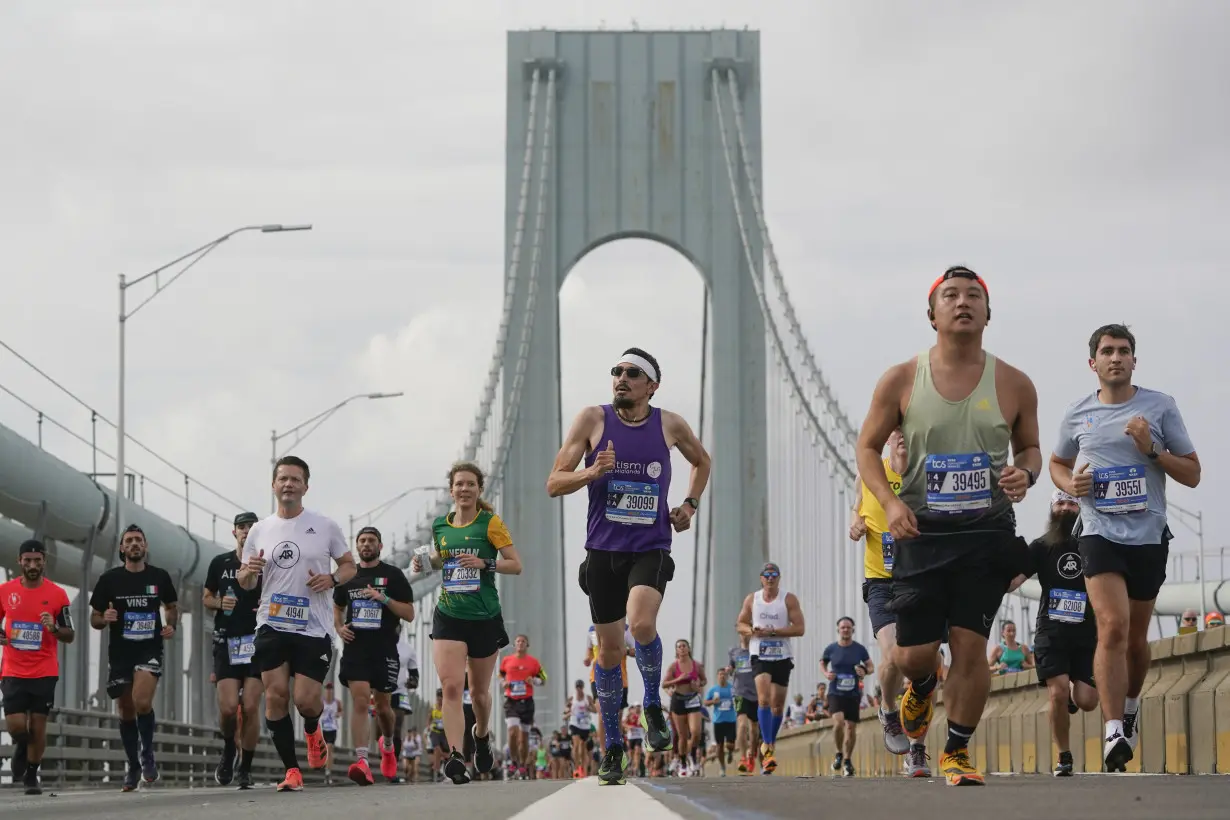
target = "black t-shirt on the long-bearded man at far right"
x: 1063, y: 612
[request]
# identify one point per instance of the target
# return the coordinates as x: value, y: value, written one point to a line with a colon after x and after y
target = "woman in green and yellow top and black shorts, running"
x: 468, y: 629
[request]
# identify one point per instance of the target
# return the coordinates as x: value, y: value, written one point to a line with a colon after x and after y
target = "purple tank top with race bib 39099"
x: 628, y: 507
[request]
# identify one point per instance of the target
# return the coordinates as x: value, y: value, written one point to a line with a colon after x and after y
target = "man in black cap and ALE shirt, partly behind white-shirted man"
x: 234, y: 645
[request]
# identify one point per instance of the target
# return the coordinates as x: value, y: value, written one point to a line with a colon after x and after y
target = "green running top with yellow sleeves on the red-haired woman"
x: 468, y: 593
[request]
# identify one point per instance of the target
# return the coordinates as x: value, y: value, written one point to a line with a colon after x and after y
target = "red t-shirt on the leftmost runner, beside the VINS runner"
x: 30, y: 650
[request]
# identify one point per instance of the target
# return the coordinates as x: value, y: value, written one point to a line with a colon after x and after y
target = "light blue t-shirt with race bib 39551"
x: 1124, y: 508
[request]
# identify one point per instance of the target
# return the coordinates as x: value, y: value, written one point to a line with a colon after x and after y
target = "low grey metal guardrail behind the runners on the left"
x: 84, y: 749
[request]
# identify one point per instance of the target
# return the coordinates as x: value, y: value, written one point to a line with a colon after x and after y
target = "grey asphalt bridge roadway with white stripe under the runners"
x: 1085, y: 797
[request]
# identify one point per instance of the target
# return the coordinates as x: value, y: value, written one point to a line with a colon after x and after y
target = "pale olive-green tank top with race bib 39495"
x: 956, y: 454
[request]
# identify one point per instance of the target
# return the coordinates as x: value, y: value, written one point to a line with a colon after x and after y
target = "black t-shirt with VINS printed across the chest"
x: 140, y: 598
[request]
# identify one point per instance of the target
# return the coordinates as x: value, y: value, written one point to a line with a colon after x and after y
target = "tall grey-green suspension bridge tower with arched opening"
x: 616, y: 136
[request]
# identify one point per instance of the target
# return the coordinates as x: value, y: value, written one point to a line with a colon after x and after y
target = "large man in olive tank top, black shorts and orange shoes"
x: 956, y: 553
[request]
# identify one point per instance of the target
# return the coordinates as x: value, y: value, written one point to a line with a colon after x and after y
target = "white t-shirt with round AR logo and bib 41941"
x: 292, y: 548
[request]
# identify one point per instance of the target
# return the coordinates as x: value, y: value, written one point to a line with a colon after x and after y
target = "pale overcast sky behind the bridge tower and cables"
x: 1074, y: 154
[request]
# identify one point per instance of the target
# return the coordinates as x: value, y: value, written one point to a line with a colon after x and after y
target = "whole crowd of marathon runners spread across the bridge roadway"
x: 942, y: 554
